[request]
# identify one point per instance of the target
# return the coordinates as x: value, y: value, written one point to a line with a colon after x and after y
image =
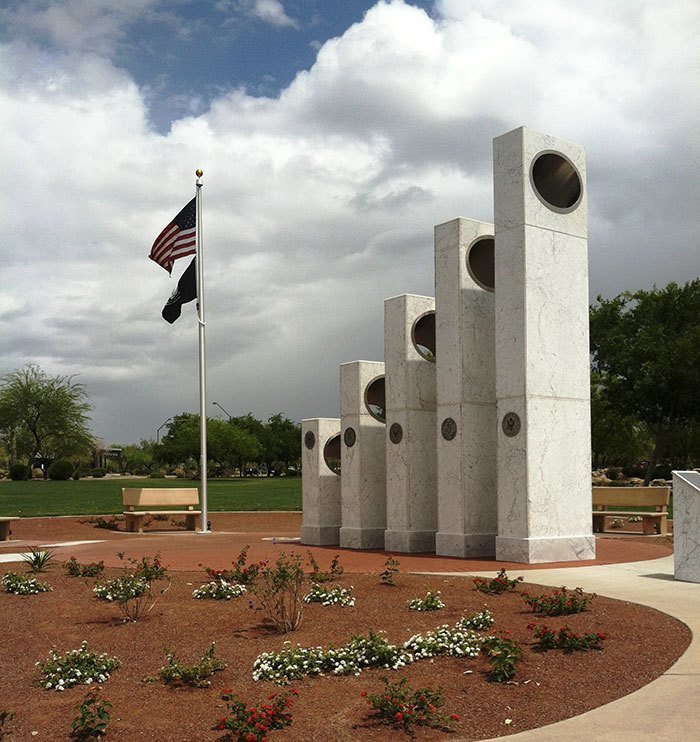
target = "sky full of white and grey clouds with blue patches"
x: 333, y: 135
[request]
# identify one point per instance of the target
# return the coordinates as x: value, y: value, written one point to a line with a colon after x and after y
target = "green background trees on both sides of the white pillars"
x: 645, y: 406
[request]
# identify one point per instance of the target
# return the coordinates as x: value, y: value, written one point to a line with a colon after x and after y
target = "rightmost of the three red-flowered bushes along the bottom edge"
x: 402, y: 707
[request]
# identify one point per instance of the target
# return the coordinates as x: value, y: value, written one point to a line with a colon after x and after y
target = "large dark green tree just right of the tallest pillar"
x: 646, y: 348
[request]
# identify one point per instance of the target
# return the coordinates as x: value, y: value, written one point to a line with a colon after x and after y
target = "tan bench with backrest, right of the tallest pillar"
x: 610, y: 502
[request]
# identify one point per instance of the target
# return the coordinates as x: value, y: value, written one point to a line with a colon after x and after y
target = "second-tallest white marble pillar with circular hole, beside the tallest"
x: 466, y: 388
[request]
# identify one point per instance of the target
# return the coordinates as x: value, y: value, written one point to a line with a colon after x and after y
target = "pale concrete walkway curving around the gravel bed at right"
x: 668, y: 709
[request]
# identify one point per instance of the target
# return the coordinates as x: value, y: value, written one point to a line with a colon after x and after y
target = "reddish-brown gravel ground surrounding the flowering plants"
x: 642, y: 643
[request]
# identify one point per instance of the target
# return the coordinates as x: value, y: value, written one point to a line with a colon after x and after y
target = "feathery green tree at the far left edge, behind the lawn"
x: 43, y: 416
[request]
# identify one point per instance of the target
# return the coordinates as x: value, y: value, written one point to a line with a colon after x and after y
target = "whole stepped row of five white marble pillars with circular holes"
x: 472, y: 437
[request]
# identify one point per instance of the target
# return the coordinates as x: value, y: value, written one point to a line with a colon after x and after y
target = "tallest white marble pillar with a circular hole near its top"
x: 542, y: 349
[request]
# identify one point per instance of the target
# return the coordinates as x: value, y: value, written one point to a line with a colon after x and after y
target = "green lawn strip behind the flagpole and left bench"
x: 103, y: 496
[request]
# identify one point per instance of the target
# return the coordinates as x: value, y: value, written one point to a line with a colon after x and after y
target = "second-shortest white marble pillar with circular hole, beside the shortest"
x: 362, y: 452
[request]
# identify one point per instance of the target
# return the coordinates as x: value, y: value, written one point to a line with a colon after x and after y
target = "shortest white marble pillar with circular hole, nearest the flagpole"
x: 320, y: 485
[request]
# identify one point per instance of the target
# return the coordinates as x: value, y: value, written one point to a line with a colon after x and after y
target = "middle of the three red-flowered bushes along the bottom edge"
x: 251, y: 723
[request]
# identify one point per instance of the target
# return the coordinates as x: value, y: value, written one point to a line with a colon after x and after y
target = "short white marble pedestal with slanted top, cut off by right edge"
x: 686, y: 525
